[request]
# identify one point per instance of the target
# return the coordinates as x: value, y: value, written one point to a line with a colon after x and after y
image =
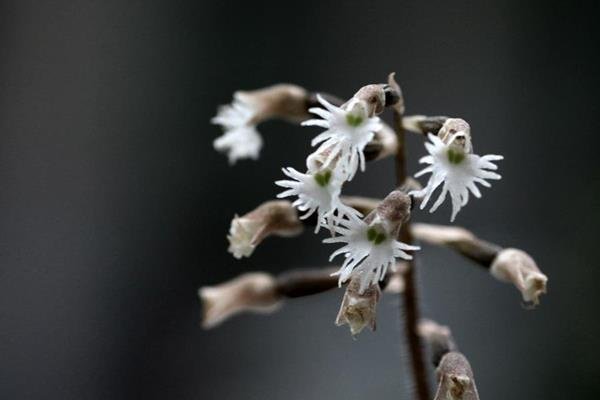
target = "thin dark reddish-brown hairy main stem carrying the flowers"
x: 410, y: 295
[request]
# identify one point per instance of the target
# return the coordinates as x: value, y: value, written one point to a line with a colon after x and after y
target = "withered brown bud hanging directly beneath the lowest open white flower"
x: 359, y: 310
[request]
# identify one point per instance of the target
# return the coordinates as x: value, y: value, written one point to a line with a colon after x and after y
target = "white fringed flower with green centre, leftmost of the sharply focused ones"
x: 317, y: 192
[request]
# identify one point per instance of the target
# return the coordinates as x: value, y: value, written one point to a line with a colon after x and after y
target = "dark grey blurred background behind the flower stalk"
x: 114, y: 206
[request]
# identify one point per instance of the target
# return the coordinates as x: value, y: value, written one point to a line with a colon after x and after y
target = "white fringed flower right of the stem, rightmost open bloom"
x: 457, y: 168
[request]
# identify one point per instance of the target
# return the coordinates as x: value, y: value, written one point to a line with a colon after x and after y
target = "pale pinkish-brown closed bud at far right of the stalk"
x: 517, y: 267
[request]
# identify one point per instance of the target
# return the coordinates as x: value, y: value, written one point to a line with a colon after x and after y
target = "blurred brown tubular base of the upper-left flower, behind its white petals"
x: 283, y: 100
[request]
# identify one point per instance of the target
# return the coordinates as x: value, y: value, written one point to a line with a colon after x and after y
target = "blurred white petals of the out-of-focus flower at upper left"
x: 241, y: 139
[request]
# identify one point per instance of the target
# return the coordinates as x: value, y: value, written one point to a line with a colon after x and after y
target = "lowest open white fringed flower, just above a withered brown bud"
x: 369, y: 250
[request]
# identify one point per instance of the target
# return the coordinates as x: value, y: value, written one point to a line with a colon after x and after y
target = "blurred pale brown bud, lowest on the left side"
x: 255, y: 292
